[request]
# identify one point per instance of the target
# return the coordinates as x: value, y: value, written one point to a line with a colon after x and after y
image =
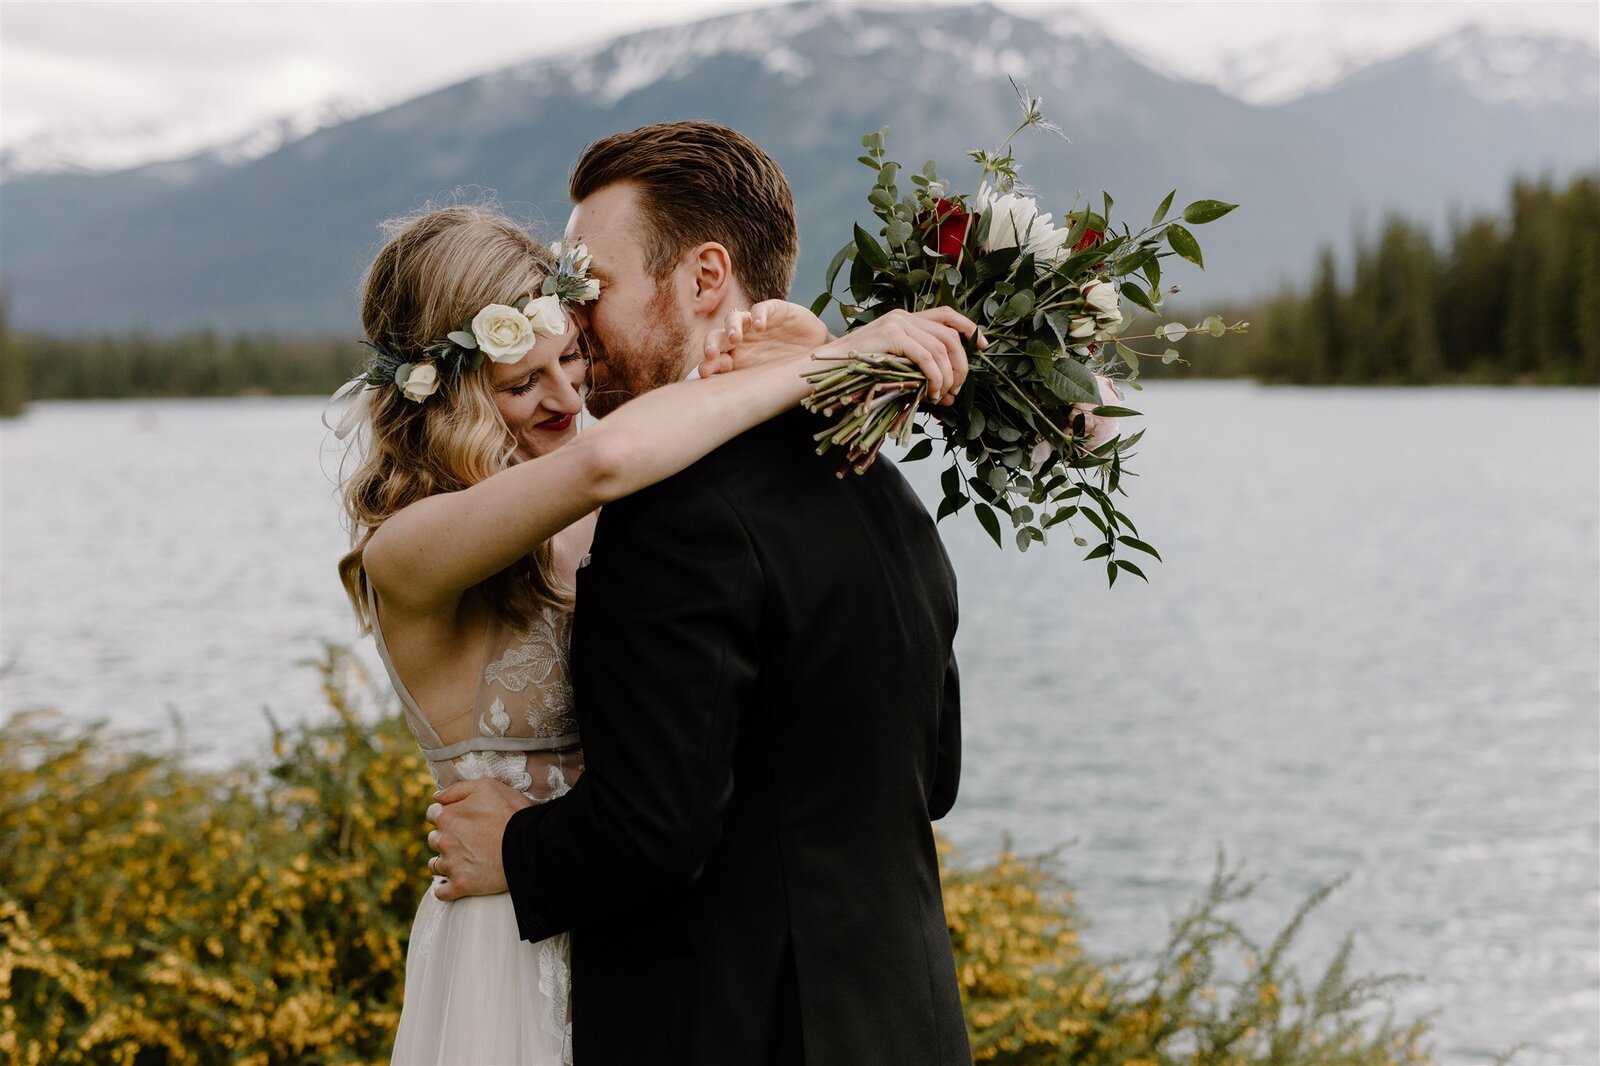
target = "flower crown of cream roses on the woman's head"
x: 502, y: 332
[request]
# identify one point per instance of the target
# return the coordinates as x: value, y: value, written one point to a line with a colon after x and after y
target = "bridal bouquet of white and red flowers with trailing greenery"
x: 1036, y: 433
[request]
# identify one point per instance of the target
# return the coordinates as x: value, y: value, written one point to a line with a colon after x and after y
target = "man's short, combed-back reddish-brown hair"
x: 702, y: 182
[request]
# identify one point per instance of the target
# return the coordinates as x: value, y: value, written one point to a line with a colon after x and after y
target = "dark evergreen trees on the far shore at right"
x: 1505, y: 300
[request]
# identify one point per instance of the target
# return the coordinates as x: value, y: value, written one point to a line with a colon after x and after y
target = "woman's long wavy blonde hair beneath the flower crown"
x: 433, y: 276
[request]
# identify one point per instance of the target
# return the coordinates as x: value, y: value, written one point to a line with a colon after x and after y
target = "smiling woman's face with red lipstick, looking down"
x: 538, y: 395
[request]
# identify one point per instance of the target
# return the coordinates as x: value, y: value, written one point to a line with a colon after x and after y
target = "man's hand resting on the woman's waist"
x: 471, y: 819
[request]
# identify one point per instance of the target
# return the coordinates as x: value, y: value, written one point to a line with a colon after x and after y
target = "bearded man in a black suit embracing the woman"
x: 766, y: 683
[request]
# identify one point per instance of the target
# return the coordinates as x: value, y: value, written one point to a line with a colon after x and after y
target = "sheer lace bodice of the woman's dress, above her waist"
x: 521, y: 729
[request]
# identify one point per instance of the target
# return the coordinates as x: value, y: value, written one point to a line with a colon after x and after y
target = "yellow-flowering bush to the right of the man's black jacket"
x: 1210, y: 996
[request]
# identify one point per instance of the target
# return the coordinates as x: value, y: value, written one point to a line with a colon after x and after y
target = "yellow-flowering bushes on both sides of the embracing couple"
x: 153, y: 913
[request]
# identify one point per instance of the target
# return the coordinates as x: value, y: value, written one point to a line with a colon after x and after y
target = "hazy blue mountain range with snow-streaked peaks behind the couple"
x: 279, y: 239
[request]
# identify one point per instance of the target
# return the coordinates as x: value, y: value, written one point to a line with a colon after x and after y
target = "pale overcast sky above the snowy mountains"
x: 209, y: 71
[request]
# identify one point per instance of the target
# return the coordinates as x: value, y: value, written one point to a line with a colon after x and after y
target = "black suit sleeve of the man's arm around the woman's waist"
x: 665, y: 639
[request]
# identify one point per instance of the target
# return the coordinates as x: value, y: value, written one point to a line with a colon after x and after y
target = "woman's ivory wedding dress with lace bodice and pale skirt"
x: 474, y: 990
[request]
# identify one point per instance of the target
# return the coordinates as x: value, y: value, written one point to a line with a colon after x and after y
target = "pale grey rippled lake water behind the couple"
x: 1374, y: 649
